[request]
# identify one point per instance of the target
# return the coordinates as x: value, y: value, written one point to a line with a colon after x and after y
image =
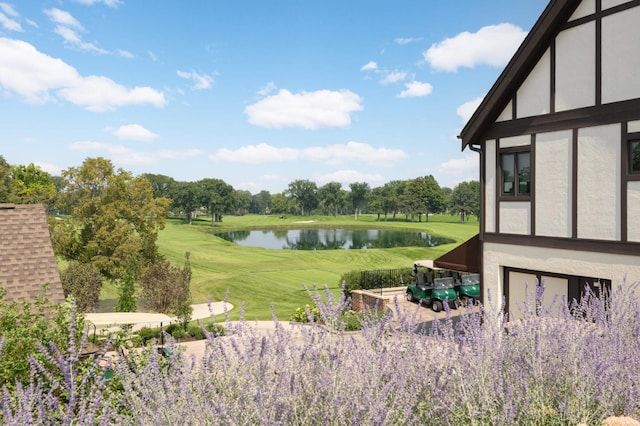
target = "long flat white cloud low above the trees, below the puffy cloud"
x: 331, y: 154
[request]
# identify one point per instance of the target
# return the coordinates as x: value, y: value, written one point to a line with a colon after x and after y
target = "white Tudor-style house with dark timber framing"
x: 558, y: 137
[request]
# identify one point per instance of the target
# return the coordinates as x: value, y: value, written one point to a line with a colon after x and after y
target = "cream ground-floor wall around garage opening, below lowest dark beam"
x: 566, y: 262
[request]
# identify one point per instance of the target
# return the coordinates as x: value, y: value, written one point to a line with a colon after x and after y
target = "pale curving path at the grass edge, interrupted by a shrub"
x: 112, y: 320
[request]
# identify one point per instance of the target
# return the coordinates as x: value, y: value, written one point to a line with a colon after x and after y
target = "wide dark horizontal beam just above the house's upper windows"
x: 583, y: 117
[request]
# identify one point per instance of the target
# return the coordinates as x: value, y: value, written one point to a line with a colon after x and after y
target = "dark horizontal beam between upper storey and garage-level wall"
x: 597, y: 246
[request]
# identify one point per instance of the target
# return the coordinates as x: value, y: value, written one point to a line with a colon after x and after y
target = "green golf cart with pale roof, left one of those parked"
x: 432, y: 286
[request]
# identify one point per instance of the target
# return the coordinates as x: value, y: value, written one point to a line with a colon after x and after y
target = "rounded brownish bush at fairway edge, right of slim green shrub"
x: 166, y: 288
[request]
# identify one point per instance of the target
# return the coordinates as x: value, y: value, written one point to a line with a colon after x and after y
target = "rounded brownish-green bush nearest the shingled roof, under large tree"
x: 83, y: 281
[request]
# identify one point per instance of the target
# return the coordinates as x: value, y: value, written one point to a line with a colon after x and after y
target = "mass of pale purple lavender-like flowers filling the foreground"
x: 578, y: 368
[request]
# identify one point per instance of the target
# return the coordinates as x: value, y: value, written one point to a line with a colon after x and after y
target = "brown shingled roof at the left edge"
x: 26, y: 254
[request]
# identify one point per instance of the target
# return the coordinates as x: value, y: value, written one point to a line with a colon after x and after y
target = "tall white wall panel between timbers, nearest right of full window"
x: 553, y: 184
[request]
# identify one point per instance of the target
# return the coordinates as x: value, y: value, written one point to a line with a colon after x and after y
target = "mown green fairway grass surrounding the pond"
x: 259, y: 278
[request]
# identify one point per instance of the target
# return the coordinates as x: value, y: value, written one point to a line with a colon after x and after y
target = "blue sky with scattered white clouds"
x: 257, y: 93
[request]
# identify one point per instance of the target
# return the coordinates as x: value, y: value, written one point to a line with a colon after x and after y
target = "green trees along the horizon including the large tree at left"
x: 107, y: 220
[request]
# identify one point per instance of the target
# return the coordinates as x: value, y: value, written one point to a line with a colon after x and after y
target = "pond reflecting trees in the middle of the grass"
x: 332, y: 239
